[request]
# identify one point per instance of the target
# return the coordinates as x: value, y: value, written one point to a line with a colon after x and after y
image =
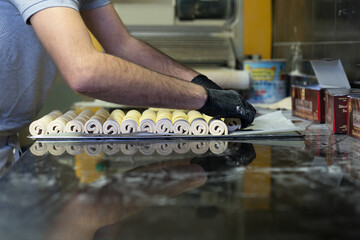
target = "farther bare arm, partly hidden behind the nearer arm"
x: 109, y: 30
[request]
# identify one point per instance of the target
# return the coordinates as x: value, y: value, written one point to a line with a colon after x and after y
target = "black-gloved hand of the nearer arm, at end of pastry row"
x: 228, y: 104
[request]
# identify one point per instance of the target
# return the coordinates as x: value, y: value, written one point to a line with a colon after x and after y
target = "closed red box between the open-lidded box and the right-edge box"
x: 336, y: 108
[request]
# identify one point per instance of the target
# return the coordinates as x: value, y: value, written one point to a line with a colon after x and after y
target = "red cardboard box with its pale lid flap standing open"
x: 309, y: 101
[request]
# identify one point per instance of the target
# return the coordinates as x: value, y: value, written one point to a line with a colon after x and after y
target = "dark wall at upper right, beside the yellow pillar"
x: 323, y: 28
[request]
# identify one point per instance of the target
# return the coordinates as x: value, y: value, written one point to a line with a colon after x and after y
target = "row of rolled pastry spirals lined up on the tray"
x: 160, y: 121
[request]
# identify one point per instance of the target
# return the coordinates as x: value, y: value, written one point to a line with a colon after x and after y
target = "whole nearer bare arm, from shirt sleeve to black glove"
x: 103, y: 76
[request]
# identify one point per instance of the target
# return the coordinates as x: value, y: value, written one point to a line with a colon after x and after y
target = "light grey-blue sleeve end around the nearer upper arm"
x: 27, y: 8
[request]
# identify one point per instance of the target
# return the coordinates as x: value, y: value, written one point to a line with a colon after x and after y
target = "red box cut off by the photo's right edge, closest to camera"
x: 353, y: 116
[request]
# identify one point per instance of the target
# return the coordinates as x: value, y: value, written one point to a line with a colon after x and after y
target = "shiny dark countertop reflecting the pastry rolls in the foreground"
x: 305, y: 188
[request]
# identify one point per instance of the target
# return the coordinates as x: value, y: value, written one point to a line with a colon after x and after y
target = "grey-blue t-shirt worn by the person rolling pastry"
x: 26, y: 69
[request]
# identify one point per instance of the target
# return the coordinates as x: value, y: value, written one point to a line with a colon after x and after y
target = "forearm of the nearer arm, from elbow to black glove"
x: 116, y: 80
